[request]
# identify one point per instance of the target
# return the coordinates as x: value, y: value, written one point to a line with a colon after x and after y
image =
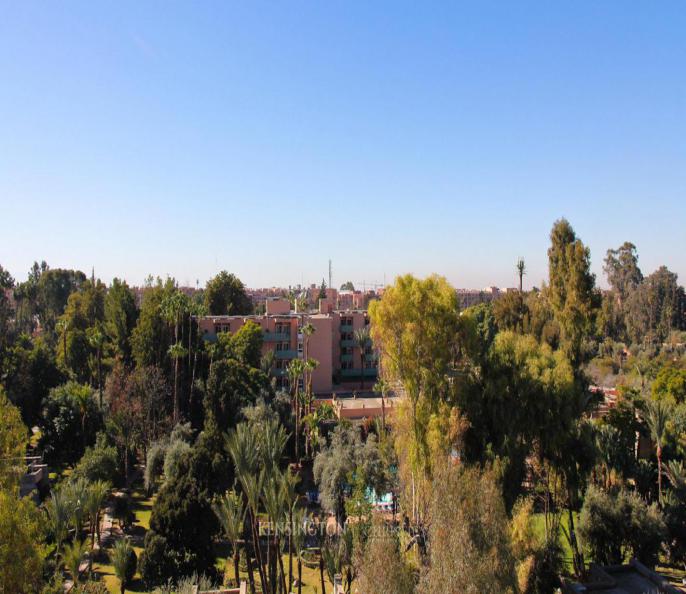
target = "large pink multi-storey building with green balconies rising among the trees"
x: 341, y: 366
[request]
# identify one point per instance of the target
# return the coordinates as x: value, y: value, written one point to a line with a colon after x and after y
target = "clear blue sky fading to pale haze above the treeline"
x: 185, y: 138
